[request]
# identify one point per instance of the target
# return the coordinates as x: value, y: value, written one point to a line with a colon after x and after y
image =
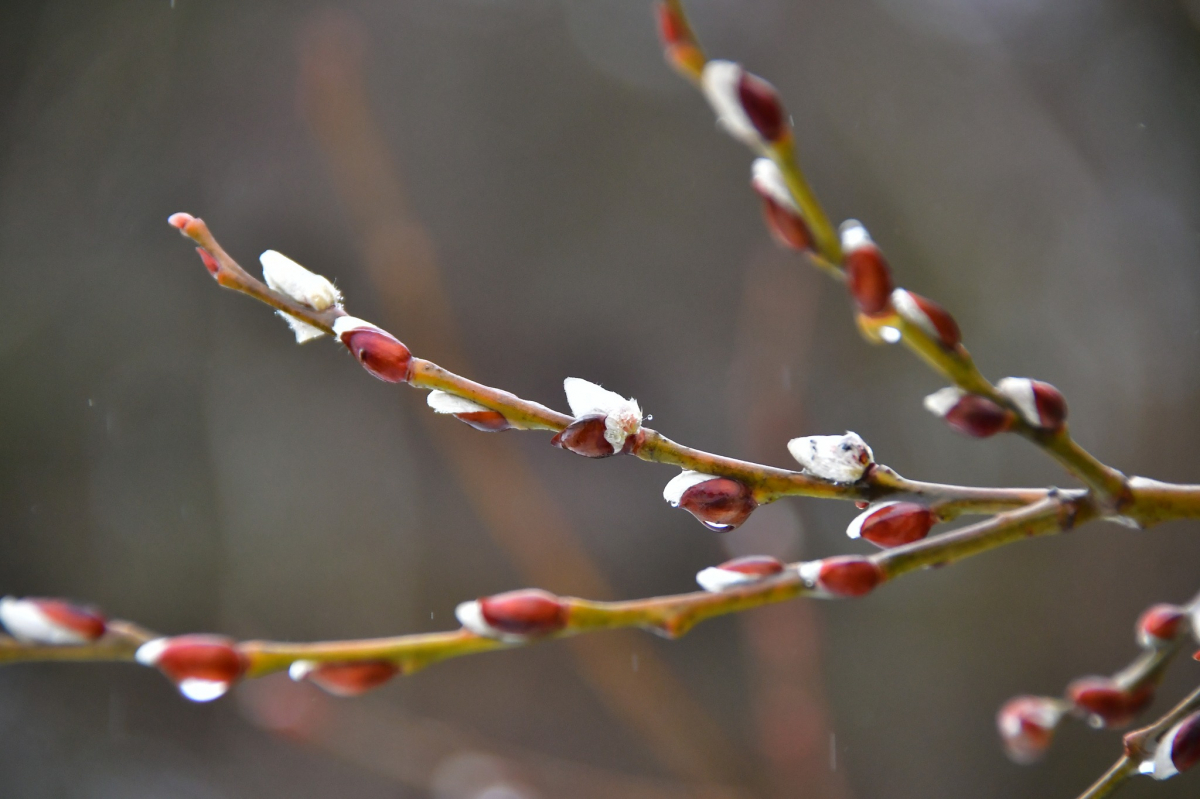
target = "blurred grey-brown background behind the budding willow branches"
x: 521, y: 190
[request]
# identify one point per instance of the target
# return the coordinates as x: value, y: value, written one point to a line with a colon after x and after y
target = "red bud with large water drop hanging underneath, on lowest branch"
x: 203, y: 668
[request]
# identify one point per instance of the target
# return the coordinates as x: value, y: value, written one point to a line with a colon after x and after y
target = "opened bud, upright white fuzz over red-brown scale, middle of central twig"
x: 605, y: 423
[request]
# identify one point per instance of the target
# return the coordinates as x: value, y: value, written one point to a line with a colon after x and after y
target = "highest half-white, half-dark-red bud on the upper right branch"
x: 747, y: 106
